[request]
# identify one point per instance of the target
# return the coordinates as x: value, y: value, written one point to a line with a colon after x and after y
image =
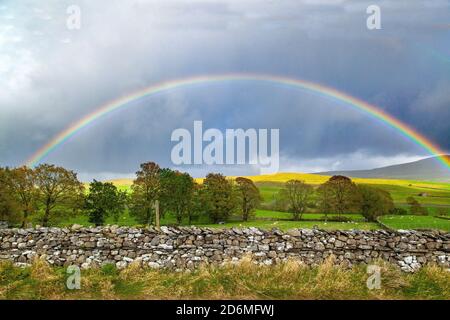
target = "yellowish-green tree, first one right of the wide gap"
x: 297, y: 194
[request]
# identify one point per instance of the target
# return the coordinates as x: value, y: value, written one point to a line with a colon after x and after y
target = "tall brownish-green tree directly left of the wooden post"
x: 146, y: 190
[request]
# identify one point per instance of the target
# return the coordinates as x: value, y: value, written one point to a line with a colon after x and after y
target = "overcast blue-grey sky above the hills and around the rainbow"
x: 51, y: 76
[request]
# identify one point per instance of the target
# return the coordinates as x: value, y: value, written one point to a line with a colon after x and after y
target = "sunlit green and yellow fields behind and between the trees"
x: 432, y: 195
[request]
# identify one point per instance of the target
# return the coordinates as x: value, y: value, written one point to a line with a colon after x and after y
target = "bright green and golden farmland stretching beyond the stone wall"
x: 435, y: 197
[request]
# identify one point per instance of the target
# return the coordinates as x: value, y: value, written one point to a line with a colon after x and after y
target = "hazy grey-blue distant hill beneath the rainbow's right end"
x: 429, y: 169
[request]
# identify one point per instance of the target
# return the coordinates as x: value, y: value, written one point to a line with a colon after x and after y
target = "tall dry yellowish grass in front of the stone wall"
x: 245, y: 280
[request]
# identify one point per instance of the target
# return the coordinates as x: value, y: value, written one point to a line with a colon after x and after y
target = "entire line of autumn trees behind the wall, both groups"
x: 50, y: 192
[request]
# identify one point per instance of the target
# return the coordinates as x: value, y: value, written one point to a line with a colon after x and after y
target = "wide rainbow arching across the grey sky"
x: 318, y: 89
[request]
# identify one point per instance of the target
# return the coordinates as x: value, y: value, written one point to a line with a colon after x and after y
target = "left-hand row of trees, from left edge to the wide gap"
x: 51, y: 191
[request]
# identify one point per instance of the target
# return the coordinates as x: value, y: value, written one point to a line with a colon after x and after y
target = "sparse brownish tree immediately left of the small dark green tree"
x: 58, y: 190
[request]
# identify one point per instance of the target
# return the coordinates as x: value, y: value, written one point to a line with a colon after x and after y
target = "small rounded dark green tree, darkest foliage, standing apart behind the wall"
x: 104, y: 200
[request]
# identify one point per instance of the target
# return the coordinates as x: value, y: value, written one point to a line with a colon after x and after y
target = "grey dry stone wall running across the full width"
x: 188, y: 247
